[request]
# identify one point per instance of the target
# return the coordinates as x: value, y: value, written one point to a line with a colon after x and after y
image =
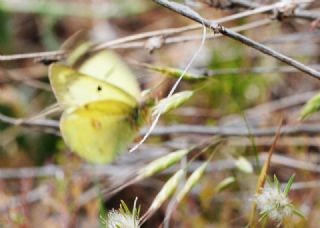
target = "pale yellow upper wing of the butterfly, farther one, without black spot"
x: 107, y: 66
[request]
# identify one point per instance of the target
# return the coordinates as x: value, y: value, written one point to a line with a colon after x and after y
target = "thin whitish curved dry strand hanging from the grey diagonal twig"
x: 173, y: 89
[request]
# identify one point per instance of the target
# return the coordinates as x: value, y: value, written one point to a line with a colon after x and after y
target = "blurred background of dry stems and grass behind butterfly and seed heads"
x: 43, y: 184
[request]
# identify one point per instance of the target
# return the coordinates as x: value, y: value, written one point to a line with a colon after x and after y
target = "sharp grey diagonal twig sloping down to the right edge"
x: 187, y: 12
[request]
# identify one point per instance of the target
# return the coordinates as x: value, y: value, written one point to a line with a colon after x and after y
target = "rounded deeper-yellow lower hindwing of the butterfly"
x: 101, y: 130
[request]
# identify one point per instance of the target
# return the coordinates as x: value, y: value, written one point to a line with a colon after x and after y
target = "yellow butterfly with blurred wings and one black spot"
x: 100, y: 99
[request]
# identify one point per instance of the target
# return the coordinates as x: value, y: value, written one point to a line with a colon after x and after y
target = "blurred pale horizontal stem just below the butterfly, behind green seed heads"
x: 116, y: 170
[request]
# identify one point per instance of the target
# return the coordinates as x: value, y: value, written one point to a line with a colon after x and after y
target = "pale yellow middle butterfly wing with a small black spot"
x: 73, y: 89
